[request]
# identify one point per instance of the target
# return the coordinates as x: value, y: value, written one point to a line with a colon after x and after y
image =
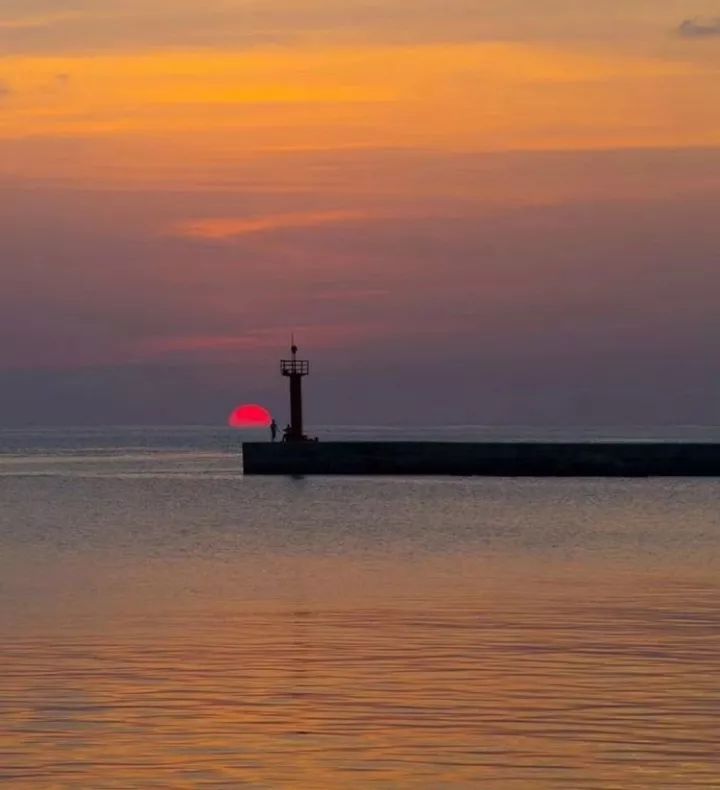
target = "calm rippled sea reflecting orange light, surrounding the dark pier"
x: 166, y: 622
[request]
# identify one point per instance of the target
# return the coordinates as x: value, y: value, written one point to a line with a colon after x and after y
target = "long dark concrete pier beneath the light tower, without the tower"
x: 499, y: 459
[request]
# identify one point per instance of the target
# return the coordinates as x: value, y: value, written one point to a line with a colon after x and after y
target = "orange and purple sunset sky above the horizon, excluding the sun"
x: 475, y: 211
